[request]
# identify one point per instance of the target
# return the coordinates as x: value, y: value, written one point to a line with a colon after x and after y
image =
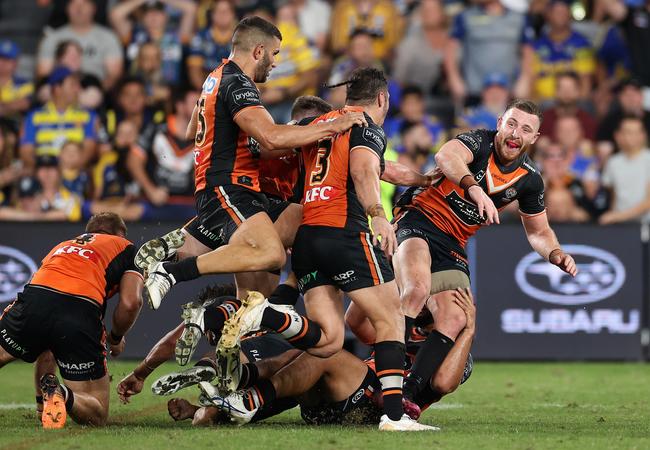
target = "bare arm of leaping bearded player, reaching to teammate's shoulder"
x: 258, y: 123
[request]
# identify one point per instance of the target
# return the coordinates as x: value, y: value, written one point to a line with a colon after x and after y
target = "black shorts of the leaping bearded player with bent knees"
x: 221, y: 210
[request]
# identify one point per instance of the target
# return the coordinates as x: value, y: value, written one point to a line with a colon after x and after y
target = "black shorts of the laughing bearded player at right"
x: 446, y: 252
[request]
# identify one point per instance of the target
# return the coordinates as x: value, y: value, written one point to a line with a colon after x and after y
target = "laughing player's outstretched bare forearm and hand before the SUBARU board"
x: 543, y: 240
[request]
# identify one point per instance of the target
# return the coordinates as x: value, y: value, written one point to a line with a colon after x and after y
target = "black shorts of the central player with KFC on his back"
x: 337, y: 257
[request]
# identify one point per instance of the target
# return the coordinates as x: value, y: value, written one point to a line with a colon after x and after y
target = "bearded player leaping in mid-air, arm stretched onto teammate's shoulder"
x: 232, y: 232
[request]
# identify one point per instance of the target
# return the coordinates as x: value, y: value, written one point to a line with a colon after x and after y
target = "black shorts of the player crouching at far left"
x: 40, y: 320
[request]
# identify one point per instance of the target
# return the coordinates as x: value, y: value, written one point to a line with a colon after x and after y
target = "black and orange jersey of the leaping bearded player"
x: 224, y: 154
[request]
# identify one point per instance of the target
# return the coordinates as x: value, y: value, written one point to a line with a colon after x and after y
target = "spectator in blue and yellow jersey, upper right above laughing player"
x: 561, y: 49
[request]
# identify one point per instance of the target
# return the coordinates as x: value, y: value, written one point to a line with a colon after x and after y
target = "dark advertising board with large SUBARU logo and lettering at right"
x: 529, y: 309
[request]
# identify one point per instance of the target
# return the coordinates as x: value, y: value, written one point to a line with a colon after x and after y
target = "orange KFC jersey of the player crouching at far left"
x: 89, y: 267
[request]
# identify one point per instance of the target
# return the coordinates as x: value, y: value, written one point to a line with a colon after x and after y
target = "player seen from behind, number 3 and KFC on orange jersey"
x: 334, y: 251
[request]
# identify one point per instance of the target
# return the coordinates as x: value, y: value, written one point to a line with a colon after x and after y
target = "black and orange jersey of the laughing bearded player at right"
x: 444, y: 202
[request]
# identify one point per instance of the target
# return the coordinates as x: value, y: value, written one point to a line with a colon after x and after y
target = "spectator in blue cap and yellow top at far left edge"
x: 15, y: 92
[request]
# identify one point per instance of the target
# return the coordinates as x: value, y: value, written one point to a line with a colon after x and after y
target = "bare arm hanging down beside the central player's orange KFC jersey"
x: 364, y: 169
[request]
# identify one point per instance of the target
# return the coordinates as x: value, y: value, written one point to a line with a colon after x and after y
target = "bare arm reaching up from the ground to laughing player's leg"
x: 450, y: 373
